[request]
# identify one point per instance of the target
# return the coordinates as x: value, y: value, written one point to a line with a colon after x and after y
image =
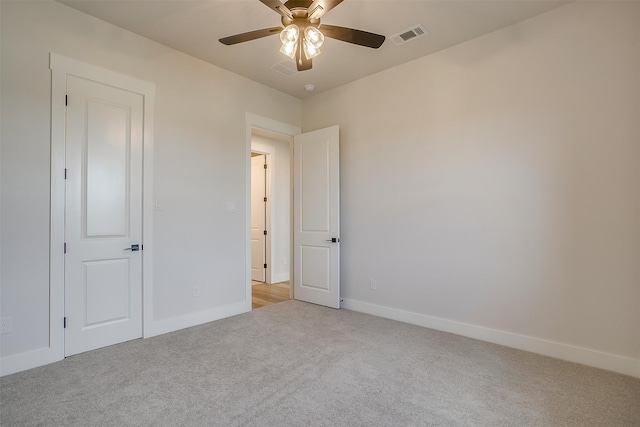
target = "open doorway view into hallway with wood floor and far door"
x: 270, y: 217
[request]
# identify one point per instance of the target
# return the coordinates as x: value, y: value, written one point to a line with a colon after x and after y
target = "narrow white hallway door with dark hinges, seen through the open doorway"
x: 258, y: 217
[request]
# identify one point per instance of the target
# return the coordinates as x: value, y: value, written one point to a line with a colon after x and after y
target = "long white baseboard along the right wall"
x: 598, y: 359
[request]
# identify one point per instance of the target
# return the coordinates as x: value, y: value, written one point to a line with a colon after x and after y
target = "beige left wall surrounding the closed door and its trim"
x: 199, y: 165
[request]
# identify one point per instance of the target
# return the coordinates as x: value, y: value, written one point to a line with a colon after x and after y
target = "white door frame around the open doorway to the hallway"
x: 256, y: 121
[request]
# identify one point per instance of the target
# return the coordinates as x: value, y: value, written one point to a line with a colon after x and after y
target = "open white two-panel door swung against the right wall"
x: 316, y: 236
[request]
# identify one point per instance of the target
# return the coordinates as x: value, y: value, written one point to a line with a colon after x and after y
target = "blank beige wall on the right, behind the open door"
x: 496, y: 184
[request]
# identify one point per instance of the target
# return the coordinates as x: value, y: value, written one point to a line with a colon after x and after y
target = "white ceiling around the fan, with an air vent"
x: 194, y: 27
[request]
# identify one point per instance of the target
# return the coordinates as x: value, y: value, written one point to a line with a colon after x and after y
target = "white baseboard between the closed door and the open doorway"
x: 159, y: 327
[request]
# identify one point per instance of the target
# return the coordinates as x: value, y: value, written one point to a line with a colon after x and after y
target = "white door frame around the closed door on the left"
x: 62, y: 66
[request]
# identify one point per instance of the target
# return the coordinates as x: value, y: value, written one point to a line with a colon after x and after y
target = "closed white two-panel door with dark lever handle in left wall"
x: 103, y: 217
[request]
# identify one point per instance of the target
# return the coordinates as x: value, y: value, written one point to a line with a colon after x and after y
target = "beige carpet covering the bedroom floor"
x: 297, y: 364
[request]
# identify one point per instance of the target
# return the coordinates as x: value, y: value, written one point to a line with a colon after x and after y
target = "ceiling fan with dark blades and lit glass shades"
x: 303, y: 35
